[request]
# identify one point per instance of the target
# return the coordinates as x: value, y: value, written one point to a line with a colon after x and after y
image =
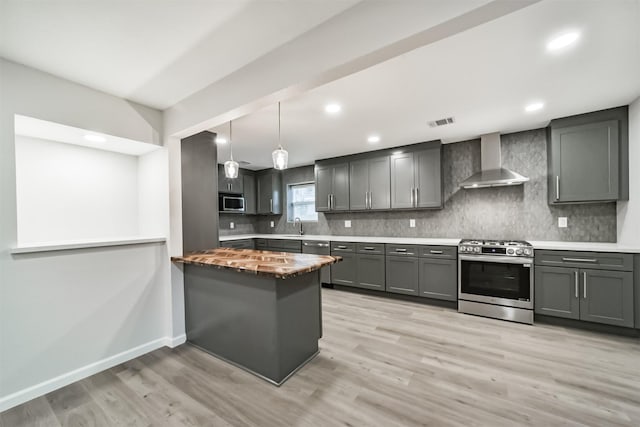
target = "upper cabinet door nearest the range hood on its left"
x: 428, y: 178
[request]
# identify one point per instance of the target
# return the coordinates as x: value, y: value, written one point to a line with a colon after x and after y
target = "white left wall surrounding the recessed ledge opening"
x: 68, y: 314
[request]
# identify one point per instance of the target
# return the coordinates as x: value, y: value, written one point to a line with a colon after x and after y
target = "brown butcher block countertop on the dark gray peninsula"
x: 280, y: 265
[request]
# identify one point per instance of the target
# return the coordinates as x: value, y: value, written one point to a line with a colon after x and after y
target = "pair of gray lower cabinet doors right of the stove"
x: 592, y: 295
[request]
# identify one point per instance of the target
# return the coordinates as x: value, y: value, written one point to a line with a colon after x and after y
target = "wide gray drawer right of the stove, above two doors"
x: 592, y: 260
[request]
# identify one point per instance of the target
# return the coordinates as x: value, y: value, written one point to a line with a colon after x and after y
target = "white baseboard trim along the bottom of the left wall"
x: 22, y: 396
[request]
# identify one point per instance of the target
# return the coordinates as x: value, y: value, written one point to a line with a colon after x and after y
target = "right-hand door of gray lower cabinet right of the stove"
x: 607, y: 297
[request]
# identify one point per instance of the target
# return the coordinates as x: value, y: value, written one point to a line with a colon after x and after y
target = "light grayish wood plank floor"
x: 382, y: 363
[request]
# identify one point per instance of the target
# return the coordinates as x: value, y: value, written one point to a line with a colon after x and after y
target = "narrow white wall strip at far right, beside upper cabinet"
x: 629, y: 212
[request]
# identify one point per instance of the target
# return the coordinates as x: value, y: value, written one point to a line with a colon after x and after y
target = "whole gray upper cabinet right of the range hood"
x: 588, y: 157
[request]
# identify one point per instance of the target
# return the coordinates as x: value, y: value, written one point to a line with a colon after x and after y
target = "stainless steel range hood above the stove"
x: 492, y: 173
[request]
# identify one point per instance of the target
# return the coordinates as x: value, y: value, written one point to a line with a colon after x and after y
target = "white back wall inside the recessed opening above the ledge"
x: 68, y: 192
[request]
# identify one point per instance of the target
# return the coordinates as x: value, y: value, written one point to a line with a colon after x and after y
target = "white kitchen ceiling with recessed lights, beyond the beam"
x: 484, y: 77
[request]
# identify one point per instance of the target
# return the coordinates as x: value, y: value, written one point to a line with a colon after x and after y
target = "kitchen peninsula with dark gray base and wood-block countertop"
x: 258, y: 310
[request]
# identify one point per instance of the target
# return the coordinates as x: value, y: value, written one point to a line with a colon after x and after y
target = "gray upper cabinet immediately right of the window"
x: 332, y: 187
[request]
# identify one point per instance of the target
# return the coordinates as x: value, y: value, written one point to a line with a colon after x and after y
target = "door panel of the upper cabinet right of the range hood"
x: 585, y: 162
